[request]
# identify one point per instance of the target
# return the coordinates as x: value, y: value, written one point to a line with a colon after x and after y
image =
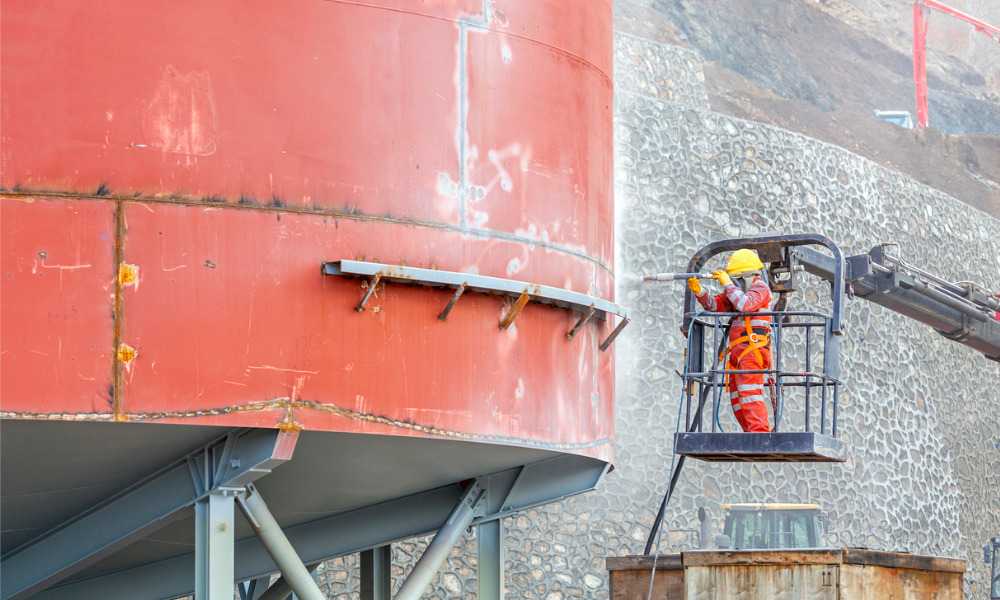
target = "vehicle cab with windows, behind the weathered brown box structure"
x: 774, y: 526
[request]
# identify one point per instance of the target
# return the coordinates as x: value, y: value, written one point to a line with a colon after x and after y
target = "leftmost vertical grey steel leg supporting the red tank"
x: 213, y: 551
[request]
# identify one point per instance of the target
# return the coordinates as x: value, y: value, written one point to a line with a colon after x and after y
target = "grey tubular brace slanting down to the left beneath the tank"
x: 469, y: 507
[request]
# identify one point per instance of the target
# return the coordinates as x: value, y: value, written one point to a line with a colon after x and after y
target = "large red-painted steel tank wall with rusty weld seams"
x: 226, y: 149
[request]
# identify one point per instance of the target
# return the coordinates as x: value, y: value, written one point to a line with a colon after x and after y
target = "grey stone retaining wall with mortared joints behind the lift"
x: 918, y: 411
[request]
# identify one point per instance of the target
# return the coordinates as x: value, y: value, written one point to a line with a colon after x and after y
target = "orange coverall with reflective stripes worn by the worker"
x: 746, y: 352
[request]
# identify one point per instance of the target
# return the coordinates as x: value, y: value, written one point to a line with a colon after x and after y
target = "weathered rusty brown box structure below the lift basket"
x: 822, y: 574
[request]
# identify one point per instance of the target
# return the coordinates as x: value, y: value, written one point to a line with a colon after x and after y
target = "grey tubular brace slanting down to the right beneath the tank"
x: 278, y: 547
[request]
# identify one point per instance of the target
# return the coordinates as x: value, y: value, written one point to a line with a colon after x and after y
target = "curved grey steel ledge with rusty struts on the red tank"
x: 522, y: 292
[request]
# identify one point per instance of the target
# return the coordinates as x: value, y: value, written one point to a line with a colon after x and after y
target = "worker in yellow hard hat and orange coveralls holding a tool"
x: 749, y: 336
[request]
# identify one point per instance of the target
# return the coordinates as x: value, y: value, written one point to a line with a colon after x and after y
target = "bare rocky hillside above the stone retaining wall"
x: 821, y: 67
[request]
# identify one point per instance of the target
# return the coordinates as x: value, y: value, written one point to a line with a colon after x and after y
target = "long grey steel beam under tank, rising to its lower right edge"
x: 503, y: 493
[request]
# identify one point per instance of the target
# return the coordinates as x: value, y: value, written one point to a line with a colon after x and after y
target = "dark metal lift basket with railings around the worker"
x: 804, y: 378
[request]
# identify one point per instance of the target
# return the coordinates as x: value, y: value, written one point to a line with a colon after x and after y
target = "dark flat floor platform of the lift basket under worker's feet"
x: 807, y: 446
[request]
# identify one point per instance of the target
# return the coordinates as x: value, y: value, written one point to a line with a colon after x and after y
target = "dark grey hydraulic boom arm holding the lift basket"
x: 963, y: 314
